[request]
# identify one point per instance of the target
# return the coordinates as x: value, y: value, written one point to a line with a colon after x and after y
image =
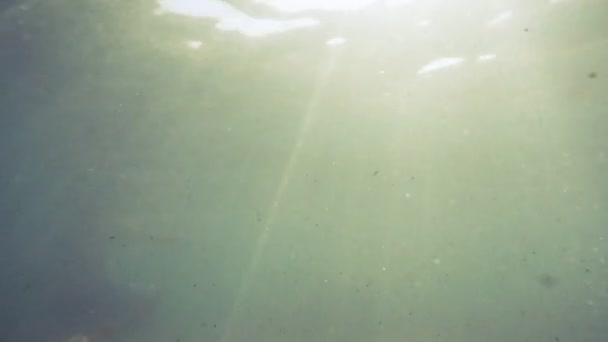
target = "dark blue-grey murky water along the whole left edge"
x: 53, y: 215
